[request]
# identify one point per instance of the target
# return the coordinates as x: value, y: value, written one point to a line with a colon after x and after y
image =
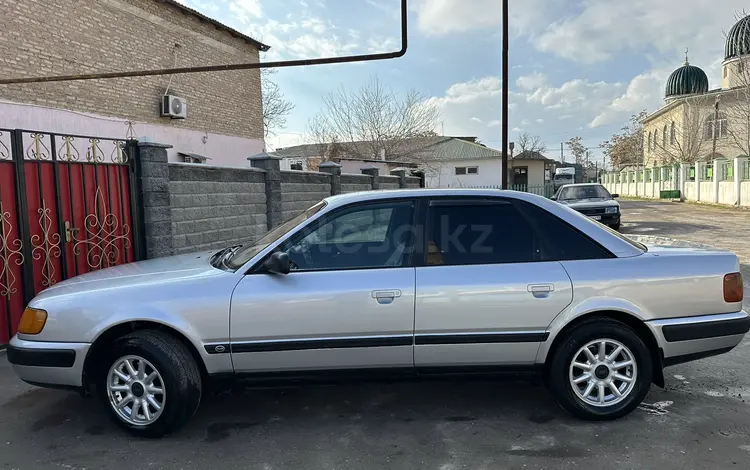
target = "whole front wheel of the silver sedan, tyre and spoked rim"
x: 177, y: 376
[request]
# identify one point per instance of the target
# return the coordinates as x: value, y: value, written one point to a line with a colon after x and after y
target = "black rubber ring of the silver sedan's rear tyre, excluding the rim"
x: 576, y: 339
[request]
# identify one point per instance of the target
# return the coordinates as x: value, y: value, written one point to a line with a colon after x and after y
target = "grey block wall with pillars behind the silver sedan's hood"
x: 189, y: 207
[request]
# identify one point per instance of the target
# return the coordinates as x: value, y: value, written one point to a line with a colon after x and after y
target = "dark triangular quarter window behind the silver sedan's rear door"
x: 561, y: 241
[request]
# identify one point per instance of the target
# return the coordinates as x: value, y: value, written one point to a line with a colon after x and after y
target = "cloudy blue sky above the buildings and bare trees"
x: 578, y: 67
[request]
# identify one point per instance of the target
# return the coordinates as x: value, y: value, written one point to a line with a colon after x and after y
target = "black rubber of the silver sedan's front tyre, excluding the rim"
x: 181, y: 401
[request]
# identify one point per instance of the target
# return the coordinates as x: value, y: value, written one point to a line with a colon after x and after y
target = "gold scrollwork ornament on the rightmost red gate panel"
x: 102, y: 237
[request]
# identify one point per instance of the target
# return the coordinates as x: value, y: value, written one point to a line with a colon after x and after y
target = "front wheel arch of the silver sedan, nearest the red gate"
x: 108, y: 336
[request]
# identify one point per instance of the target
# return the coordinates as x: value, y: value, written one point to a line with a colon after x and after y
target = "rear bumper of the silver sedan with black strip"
x: 688, y: 338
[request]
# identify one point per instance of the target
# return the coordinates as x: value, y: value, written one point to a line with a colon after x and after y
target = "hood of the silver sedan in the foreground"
x: 150, y: 272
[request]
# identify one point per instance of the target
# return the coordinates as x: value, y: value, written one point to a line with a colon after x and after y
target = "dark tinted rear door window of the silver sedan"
x: 479, y: 233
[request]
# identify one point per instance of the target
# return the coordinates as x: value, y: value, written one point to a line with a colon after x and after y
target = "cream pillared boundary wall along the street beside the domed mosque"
x: 716, y: 182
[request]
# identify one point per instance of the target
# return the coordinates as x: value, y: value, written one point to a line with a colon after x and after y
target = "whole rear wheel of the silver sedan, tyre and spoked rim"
x: 590, y: 333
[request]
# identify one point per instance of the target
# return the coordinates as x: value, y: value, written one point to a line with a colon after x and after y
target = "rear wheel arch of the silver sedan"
x: 638, y: 325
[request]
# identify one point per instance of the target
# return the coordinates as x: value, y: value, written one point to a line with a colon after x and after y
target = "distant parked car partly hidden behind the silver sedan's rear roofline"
x: 592, y: 200
